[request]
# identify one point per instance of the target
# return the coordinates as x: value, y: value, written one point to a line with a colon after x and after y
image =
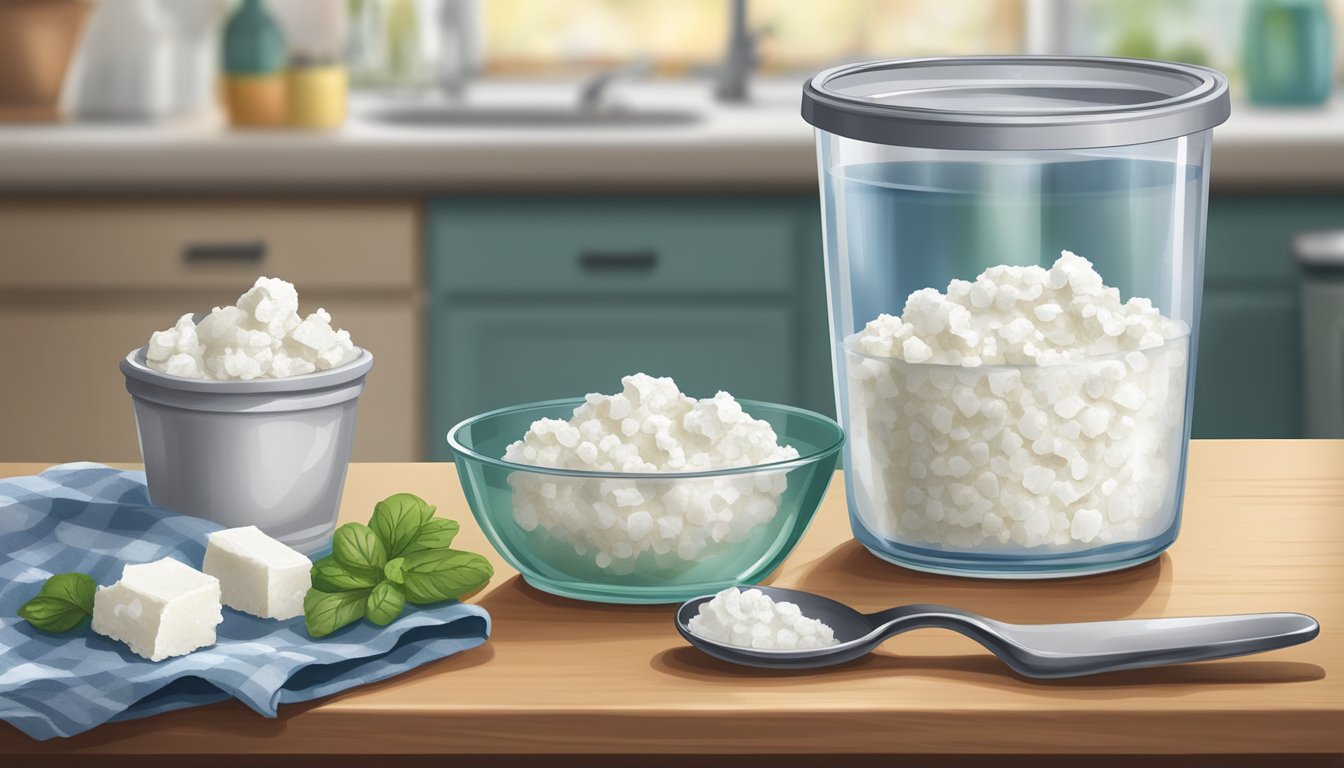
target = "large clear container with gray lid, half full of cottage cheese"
x: 936, y: 170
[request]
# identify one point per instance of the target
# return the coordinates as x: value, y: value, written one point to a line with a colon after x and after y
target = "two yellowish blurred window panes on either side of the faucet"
x: 685, y: 37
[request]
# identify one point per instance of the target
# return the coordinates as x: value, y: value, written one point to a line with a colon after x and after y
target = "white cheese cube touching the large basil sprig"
x: 257, y: 574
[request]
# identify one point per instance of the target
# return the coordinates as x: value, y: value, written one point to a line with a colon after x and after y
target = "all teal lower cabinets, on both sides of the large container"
x: 511, y: 291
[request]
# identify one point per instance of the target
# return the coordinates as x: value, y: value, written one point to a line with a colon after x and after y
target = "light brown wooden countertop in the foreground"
x: 1264, y: 532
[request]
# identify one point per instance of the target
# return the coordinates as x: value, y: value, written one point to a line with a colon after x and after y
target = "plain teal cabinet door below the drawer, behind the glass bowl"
x: 498, y: 354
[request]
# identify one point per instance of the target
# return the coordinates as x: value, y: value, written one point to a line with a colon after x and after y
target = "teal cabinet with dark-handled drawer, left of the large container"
x: 541, y: 299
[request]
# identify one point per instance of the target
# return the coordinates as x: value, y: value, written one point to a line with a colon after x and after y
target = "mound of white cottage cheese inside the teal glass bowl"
x: 651, y: 427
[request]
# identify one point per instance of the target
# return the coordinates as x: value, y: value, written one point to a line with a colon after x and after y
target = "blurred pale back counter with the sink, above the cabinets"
x: 764, y: 147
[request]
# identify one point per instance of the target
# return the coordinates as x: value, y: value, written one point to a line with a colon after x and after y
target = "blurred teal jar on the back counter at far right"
x: 1290, y: 53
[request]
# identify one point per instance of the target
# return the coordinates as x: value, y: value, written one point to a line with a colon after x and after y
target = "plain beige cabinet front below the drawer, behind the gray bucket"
x: 67, y: 401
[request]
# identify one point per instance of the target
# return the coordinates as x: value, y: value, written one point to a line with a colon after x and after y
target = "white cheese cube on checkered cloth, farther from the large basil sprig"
x: 161, y: 610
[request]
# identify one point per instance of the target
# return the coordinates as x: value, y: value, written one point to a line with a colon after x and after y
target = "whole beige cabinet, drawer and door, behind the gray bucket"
x: 85, y: 282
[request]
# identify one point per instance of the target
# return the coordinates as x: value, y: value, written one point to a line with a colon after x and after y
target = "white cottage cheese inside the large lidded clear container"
x: 1029, y: 410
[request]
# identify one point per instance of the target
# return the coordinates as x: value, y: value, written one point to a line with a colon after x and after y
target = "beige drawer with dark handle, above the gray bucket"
x: 154, y: 245
